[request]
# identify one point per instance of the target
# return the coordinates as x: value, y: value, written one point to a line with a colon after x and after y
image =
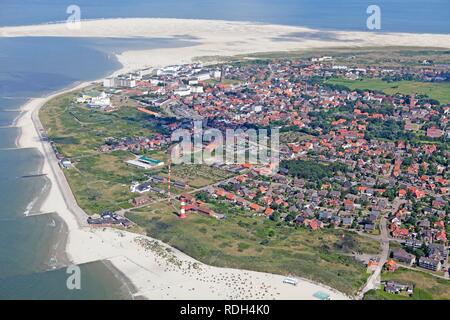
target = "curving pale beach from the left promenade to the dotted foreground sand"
x: 145, y: 270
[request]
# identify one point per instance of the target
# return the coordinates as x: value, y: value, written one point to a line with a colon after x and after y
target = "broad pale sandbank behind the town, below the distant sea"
x: 220, y: 38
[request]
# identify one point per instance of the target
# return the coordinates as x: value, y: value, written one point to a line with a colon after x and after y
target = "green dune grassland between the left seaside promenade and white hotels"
x: 99, y: 181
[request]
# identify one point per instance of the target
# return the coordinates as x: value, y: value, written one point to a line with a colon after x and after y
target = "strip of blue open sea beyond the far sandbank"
x: 415, y: 16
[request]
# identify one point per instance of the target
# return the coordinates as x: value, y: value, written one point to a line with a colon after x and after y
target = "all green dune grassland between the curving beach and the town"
x: 101, y: 182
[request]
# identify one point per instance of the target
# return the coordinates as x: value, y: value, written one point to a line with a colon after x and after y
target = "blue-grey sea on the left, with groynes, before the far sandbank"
x: 32, y: 259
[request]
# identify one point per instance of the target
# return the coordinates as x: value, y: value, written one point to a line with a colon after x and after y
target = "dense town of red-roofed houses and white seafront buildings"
x: 360, y: 160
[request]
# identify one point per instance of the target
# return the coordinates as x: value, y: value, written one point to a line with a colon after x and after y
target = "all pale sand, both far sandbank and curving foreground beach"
x: 156, y: 270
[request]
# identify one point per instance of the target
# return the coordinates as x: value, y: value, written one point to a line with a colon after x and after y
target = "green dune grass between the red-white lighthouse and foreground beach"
x: 255, y: 243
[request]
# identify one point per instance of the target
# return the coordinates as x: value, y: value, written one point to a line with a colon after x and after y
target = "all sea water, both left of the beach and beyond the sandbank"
x: 32, y: 244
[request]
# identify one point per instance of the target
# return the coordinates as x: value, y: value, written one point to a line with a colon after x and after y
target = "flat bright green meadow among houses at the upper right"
x: 438, y: 91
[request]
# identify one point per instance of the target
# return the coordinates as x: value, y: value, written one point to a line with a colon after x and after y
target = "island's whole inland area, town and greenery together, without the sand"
x: 361, y: 190
